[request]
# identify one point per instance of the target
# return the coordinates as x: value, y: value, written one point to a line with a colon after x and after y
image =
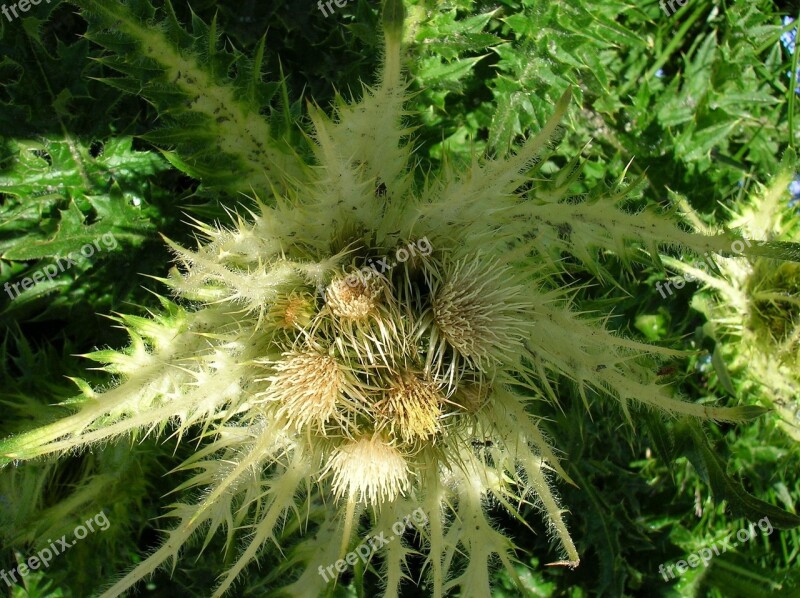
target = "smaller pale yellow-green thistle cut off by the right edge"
x: 753, y: 304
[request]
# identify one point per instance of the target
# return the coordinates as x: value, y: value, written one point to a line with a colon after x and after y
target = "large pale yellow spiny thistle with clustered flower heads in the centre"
x: 365, y: 339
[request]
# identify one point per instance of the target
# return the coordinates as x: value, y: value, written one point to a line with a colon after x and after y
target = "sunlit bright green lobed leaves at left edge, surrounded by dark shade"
x: 110, y: 189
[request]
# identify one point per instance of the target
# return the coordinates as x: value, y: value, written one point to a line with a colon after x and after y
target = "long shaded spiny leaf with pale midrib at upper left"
x: 213, y: 121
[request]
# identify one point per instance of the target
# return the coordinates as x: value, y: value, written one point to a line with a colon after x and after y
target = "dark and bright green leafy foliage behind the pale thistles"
x: 698, y: 104
